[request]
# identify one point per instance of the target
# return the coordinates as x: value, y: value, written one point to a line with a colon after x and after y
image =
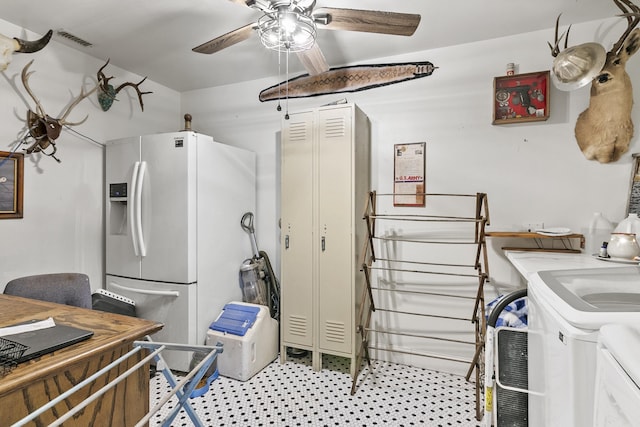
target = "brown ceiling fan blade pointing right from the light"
x: 368, y: 21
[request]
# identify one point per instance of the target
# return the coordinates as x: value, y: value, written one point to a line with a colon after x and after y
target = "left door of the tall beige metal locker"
x: 296, y: 230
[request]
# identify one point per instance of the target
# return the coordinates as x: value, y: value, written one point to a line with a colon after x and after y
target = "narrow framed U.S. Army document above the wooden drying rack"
x: 409, y: 171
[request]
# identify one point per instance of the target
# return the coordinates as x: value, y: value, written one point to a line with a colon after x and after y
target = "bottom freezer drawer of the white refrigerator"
x: 174, y: 305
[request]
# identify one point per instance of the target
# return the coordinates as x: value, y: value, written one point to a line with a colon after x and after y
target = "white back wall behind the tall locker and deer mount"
x: 532, y: 172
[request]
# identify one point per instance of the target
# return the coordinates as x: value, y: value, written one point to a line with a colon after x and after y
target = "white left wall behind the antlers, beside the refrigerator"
x: 62, y: 228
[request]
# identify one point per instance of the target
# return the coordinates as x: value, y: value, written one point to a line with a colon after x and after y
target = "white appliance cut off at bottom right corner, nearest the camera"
x: 617, y: 386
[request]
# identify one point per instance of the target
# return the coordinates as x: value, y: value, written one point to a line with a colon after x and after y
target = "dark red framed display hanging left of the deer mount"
x: 521, y: 98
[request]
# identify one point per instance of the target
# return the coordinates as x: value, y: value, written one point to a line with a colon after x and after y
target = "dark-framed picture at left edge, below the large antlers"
x: 11, y: 185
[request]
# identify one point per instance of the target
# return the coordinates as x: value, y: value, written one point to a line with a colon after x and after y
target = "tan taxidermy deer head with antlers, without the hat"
x: 604, y: 130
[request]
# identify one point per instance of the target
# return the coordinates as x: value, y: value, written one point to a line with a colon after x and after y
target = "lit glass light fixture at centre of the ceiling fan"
x: 287, y: 31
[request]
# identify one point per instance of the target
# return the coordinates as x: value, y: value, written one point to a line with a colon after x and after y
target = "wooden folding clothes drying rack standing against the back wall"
x: 454, y: 272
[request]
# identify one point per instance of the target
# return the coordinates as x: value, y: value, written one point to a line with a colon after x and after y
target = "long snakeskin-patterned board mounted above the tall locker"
x: 347, y: 79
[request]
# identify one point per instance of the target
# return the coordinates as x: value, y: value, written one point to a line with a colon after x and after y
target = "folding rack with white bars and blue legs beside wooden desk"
x: 182, y: 389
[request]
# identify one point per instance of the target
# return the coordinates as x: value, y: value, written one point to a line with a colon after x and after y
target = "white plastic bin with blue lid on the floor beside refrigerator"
x: 249, y: 336
